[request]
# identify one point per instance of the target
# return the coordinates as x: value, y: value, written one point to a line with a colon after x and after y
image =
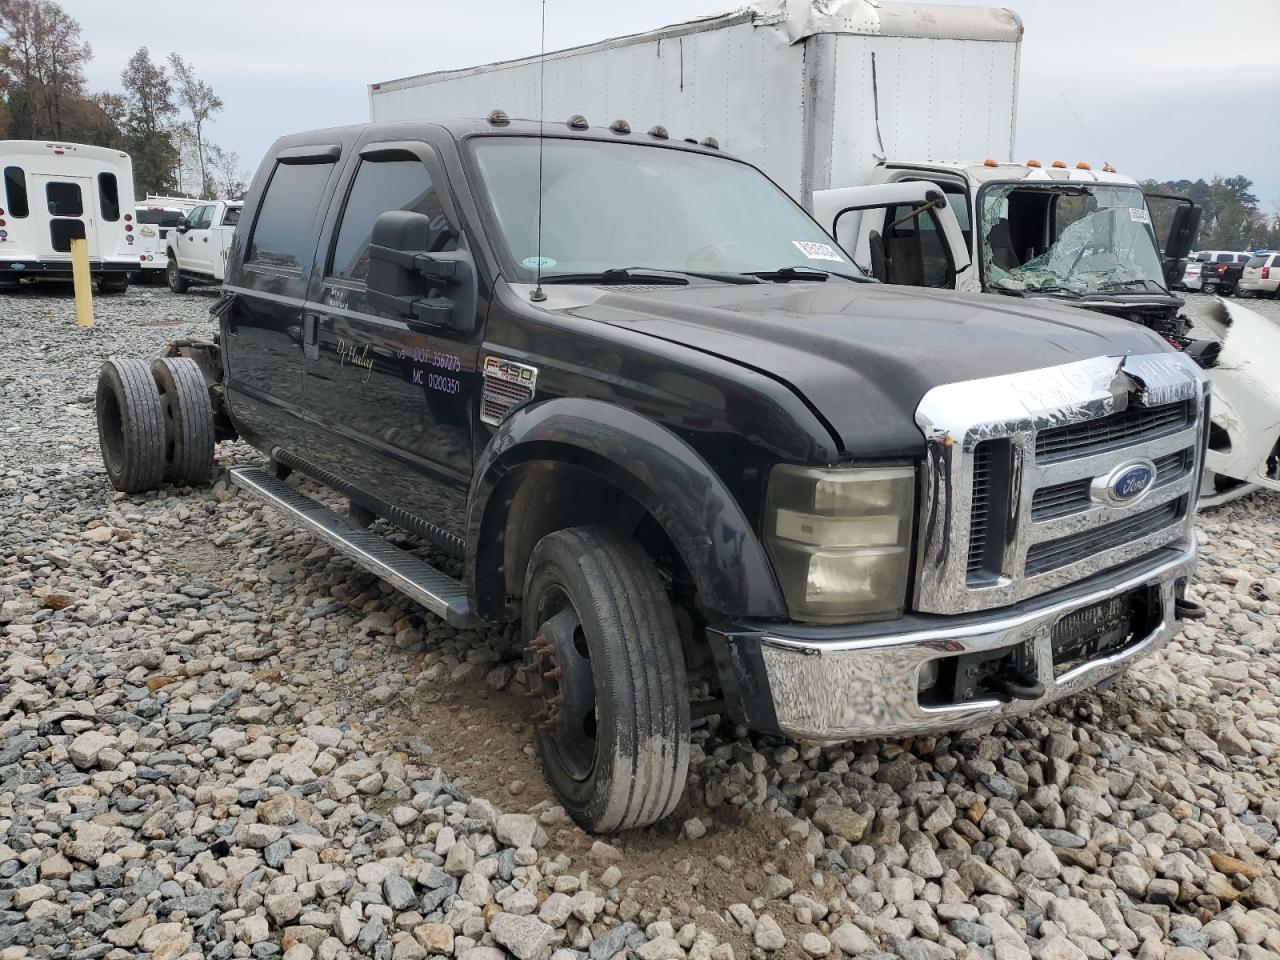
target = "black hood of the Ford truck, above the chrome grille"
x: 862, y: 355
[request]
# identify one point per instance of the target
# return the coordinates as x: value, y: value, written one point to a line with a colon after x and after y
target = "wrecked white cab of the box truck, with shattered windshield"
x: 1086, y: 237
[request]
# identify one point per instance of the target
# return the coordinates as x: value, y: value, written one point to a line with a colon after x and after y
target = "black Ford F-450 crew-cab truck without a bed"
x: 669, y: 427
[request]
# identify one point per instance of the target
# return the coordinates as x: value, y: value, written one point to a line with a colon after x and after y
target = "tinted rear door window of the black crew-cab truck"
x: 282, y: 236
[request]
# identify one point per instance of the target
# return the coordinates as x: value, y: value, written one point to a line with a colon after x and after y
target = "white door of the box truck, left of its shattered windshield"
x: 900, y: 234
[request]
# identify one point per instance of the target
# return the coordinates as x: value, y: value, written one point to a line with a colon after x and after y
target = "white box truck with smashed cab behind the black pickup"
x: 894, y: 125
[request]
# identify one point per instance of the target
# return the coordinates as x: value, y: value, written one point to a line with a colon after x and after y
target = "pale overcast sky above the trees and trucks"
x: 1168, y: 89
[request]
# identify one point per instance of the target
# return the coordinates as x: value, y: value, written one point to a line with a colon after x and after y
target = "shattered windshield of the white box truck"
x: 1080, y: 239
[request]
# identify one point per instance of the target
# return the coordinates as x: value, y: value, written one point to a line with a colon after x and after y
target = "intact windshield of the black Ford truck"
x: 624, y: 205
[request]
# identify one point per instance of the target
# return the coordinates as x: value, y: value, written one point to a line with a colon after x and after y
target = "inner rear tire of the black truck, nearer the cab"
x: 189, y: 418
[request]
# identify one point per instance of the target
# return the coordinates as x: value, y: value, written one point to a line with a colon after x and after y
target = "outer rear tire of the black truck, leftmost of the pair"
x: 131, y: 426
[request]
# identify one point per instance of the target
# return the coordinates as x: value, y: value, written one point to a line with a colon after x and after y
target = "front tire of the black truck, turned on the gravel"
x: 605, y: 664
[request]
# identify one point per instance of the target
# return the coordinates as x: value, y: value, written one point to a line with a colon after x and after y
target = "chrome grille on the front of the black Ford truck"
x: 1017, y: 499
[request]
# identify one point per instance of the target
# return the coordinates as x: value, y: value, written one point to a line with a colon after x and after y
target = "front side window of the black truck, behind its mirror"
x: 381, y: 186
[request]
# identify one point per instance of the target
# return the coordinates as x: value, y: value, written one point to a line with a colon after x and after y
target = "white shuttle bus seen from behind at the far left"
x: 57, y: 193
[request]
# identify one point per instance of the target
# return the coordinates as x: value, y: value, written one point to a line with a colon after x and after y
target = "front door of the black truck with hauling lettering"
x: 391, y: 394
